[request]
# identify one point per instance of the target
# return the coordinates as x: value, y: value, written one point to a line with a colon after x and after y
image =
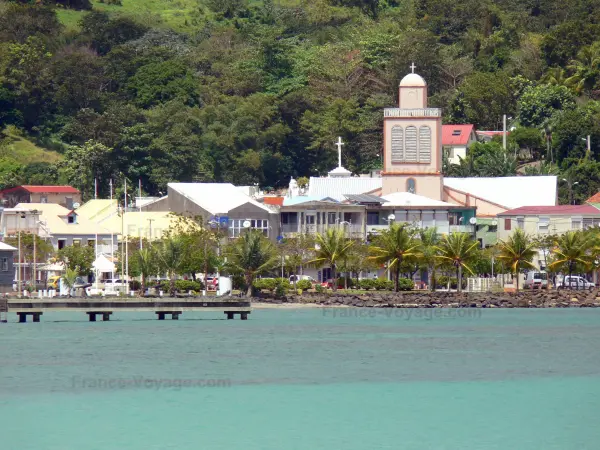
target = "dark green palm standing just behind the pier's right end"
x: 251, y: 254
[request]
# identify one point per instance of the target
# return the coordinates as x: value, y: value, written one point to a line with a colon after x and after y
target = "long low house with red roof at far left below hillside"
x: 65, y: 196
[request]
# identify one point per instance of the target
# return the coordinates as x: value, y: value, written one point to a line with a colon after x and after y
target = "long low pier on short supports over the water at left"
x: 104, y: 308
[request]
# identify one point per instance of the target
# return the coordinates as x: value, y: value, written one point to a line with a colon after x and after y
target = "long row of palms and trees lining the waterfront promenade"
x: 401, y: 249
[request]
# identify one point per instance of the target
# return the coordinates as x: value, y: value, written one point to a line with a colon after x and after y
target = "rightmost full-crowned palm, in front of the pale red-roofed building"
x: 571, y: 249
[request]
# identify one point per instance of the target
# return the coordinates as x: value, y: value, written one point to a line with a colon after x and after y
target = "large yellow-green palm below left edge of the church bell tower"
x: 394, y: 246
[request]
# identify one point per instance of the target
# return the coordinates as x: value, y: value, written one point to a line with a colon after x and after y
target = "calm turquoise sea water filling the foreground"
x: 303, y: 379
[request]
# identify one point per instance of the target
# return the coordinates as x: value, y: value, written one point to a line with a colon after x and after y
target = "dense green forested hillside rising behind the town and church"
x: 257, y: 91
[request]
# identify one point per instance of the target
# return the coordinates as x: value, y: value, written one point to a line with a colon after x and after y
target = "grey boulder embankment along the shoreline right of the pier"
x: 522, y: 299
